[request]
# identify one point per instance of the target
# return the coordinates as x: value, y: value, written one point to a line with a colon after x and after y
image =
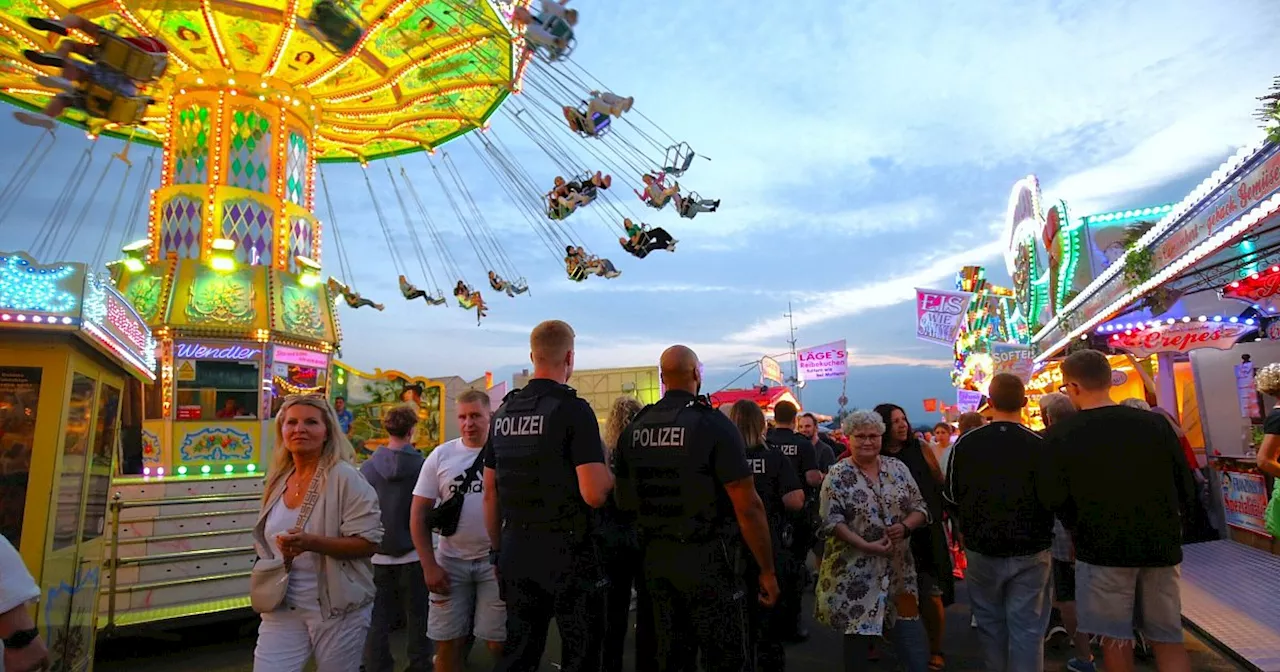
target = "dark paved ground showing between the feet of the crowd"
x: 230, y: 648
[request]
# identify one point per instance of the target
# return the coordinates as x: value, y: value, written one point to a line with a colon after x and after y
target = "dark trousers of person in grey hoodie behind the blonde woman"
x: 401, y: 593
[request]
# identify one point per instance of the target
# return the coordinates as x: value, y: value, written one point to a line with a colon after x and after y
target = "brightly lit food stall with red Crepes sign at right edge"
x: 1188, y: 290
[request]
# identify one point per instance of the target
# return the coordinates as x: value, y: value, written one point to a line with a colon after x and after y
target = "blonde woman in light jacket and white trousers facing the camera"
x: 326, y: 610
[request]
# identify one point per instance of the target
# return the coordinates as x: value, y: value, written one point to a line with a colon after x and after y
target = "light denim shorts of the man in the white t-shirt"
x: 473, y: 600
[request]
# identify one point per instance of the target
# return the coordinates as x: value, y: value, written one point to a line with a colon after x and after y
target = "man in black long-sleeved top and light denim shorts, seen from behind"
x: 1122, y: 487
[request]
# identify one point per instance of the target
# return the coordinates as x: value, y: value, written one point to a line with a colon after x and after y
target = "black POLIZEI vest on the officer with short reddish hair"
x: 537, y: 484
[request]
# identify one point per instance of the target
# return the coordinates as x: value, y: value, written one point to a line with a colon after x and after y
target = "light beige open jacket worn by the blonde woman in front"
x: 348, y: 508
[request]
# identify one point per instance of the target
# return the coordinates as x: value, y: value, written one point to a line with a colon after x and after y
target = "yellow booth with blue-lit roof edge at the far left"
x: 74, y: 360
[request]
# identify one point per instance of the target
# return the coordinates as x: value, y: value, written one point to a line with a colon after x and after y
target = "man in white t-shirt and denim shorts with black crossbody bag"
x: 465, y: 598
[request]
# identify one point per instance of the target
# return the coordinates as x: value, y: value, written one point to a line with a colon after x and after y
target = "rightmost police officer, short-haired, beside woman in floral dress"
x: 796, y: 572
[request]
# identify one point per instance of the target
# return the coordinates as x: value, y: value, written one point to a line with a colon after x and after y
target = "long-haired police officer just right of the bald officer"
x: 780, y: 491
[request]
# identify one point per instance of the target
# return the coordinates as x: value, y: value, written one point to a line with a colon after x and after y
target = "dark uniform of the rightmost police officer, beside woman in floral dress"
x: 793, y: 573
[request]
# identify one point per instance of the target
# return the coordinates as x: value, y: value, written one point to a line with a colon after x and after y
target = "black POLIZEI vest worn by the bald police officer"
x: 679, y: 499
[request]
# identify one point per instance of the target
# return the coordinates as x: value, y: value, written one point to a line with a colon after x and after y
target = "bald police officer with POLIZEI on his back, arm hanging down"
x: 683, y: 469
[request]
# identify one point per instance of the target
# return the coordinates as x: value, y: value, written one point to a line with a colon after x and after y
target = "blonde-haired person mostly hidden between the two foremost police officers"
x: 621, y: 557
